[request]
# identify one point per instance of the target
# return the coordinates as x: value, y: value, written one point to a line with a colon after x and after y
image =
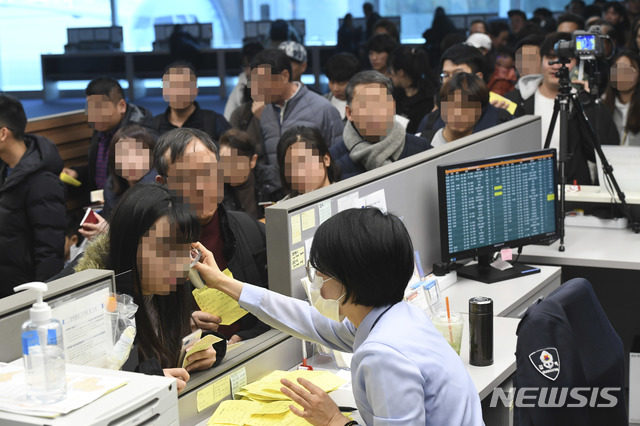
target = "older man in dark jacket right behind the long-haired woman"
x: 187, y: 161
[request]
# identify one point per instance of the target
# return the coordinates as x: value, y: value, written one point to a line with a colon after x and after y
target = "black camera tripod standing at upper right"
x: 562, y: 107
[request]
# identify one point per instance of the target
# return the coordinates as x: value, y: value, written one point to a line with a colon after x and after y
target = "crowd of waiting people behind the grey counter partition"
x: 191, y: 174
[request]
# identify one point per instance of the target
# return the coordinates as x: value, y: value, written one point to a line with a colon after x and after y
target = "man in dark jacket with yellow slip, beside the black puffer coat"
x: 107, y: 111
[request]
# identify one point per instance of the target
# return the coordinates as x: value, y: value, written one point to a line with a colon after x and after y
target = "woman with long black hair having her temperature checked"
x: 150, y: 236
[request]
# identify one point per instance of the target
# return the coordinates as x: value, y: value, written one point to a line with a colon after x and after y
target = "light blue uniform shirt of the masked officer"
x: 403, y: 371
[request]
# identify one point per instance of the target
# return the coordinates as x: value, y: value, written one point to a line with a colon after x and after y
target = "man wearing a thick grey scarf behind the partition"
x: 371, y: 137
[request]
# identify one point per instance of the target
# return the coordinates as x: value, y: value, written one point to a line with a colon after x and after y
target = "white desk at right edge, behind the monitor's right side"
x: 590, y: 247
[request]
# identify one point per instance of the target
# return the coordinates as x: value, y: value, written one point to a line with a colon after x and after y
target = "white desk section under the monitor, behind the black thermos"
x: 507, y: 295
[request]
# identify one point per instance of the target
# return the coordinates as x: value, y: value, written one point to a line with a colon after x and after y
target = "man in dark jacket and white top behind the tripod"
x: 537, y: 97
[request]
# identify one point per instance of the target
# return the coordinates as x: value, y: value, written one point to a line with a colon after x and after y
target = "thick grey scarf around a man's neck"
x: 373, y: 155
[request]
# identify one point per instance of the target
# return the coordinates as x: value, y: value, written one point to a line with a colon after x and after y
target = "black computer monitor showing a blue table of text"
x: 496, y: 203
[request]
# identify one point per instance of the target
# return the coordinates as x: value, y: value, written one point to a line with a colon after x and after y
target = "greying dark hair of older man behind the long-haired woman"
x: 177, y: 140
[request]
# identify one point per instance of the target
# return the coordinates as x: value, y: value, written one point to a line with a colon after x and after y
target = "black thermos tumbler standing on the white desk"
x: 480, y: 331
